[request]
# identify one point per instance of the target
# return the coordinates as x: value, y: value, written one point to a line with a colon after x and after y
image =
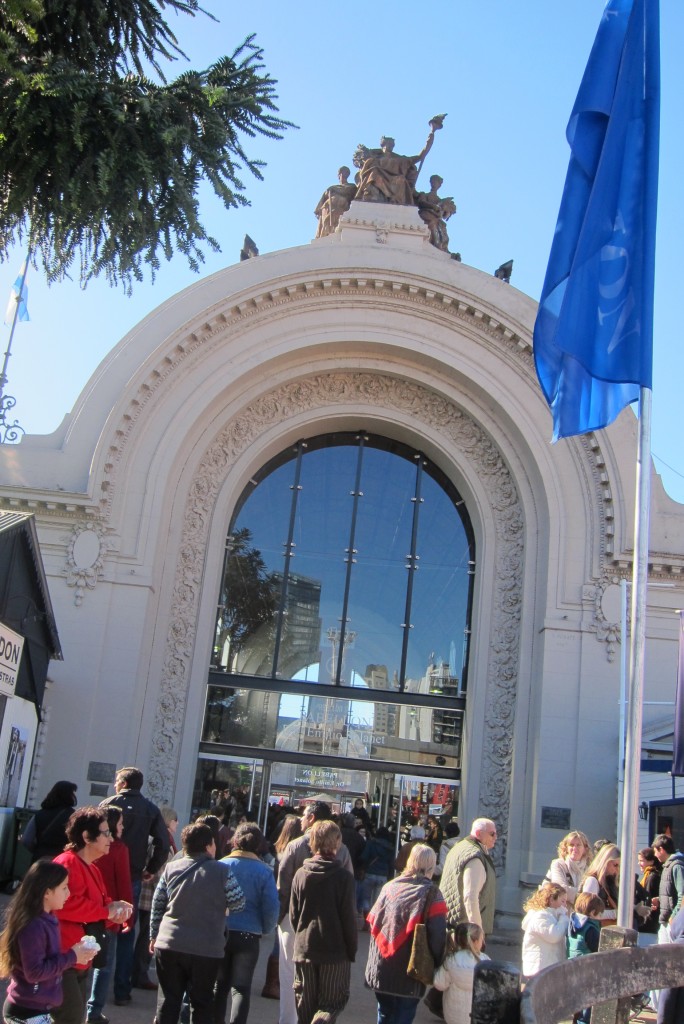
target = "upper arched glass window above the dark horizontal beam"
x: 350, y: 562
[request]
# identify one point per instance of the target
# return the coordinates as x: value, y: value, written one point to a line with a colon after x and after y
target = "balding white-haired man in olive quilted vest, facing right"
x: 468, y: 882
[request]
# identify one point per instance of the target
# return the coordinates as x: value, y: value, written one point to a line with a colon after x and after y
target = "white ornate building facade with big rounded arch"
x: 368, y: 333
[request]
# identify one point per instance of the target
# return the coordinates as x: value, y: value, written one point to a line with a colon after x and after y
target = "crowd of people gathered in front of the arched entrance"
x: 109, y: 890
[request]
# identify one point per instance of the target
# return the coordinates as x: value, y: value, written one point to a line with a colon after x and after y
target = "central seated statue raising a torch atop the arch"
x: 384, y: 177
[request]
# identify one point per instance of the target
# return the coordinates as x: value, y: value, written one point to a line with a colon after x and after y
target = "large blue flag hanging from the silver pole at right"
x: 594, y: 330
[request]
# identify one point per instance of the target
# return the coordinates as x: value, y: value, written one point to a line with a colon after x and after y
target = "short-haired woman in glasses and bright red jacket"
x: 89, y: 904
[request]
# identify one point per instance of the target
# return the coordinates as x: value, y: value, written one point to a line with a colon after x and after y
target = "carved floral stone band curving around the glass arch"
x: 440, y: 416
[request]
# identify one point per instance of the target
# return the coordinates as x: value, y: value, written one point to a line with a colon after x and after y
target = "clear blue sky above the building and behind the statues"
x: 507, y: 75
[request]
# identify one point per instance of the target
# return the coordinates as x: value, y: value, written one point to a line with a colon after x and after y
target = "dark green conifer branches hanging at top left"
x: 101, y: 157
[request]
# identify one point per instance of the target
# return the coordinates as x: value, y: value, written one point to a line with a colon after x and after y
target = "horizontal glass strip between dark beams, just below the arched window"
x: 331, y: 727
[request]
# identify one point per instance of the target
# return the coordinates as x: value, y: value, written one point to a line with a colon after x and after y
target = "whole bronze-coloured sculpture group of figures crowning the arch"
x: 386, y: 177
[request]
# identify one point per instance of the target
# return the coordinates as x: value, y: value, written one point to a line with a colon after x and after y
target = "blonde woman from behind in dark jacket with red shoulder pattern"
x: 410, y: 900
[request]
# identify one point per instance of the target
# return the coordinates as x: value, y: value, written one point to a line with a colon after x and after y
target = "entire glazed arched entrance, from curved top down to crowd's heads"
x: 340, y: 658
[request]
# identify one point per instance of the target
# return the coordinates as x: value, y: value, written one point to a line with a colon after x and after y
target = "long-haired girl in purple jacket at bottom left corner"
x: 30, y: 946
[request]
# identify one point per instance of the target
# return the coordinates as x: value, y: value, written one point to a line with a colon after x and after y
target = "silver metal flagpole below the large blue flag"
x: 637, y: 648
